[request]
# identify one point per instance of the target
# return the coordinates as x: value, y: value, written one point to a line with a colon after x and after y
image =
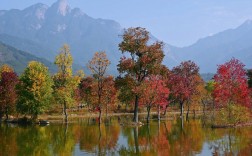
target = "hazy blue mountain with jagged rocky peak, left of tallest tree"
x: 42, y: 30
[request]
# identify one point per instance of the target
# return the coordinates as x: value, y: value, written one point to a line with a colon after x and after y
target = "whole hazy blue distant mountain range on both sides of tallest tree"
x: 41, y: 30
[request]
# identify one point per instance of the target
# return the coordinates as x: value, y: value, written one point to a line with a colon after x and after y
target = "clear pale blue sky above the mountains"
x: 176, y: 22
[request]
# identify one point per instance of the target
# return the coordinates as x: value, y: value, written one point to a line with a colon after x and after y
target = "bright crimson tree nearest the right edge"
x: 231, y: 87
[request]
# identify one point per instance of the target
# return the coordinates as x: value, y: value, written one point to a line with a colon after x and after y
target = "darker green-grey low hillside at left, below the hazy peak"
x: 19, y: 59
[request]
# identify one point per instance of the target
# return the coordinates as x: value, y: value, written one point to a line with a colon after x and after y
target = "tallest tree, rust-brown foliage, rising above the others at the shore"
x: 145, y: 59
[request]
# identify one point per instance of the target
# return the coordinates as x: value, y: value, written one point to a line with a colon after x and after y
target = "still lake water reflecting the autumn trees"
x: 85, y: 137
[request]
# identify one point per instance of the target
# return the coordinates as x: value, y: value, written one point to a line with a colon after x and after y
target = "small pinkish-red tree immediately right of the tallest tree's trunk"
x: 154, y: 93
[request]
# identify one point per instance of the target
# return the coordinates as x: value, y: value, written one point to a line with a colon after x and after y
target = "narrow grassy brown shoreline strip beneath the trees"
x: 126, y: 118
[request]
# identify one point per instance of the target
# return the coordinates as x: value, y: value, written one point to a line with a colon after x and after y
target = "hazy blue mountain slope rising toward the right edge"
x: 219, y: 48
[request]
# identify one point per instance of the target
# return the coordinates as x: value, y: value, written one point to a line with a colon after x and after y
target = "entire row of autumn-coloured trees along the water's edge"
x: 144, y: 82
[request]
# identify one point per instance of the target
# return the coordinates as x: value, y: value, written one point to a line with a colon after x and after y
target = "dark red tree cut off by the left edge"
x: 8, y: 95
